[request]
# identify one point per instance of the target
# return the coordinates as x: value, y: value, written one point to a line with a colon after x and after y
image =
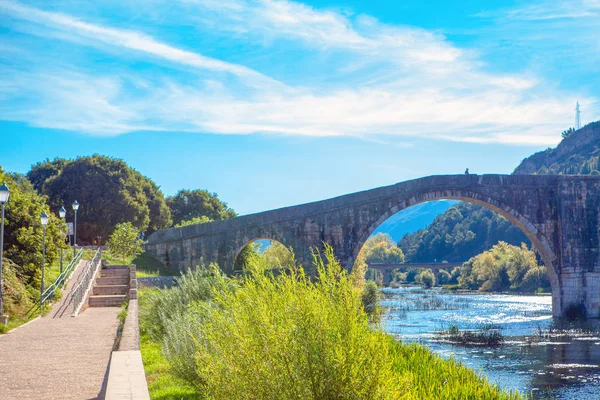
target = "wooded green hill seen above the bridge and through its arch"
x: 466, y: 230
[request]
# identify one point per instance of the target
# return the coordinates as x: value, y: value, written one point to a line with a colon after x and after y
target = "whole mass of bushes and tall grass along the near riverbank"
x: 286, y: 336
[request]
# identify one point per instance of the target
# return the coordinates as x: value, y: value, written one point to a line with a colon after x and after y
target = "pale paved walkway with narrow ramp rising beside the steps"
x: 59, y: 356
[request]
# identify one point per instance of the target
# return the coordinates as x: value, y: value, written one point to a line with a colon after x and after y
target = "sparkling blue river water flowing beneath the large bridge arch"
x: 535, y: 358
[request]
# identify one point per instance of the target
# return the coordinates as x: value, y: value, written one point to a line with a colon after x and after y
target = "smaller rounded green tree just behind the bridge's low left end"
x: 188, y: 204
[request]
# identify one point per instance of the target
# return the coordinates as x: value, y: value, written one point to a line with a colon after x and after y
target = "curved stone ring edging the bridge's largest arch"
x: 537, y: 238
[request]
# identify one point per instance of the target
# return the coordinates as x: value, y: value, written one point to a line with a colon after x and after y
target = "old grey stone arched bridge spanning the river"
x: 560, y: 214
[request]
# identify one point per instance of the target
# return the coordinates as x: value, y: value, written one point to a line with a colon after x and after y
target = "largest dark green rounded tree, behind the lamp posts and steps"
x: 109, y: 191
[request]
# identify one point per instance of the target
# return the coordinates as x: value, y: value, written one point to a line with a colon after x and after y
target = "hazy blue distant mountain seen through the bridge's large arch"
x: 414, y: 218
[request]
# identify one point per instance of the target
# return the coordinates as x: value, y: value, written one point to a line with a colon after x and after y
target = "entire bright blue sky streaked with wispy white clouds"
x: 272, y: 103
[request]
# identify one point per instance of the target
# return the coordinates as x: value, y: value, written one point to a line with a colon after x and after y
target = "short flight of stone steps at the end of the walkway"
x: 111, y: 287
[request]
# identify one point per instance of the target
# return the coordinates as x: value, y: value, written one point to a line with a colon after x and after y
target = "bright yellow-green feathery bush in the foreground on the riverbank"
x: 287, y: 337
